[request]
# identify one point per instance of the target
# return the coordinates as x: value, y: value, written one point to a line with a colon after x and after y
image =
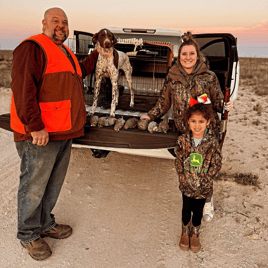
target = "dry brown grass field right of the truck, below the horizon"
x: 254, y: 72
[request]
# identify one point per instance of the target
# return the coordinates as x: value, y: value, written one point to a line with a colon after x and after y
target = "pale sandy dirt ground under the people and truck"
x: 126, y: 210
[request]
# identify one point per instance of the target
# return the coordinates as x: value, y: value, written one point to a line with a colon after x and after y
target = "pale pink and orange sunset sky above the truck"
x: 246, y: 20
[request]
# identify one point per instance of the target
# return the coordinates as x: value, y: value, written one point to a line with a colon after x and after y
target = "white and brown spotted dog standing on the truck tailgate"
x: 109, y: 62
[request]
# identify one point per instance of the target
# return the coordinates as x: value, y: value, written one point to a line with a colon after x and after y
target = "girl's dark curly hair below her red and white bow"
x: 204, y: 109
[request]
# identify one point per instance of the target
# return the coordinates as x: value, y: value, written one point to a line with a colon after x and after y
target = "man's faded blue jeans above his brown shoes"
x: 43, y: 170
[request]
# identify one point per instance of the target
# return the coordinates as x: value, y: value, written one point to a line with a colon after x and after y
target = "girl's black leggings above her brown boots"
x: 192, y: 208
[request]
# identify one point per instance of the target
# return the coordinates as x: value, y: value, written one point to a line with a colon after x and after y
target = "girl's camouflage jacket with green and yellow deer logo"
x: 196, y: 166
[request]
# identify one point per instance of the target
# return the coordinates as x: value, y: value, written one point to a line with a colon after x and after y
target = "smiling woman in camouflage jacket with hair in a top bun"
x: 189, y: 78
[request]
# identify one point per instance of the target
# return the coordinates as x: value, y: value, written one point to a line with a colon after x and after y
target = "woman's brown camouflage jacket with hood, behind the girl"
x: 179, y: 86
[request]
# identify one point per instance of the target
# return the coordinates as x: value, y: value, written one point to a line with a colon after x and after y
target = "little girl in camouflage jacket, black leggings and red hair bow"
x: 198, y: 160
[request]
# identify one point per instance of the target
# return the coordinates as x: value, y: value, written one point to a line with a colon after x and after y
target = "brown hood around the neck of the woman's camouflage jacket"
x: 177, y: 72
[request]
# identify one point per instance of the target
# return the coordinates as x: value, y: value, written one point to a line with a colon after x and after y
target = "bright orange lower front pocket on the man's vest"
x: 56, y: 115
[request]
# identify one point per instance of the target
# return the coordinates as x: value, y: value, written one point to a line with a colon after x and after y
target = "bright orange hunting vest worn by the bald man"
x: 56, y: 94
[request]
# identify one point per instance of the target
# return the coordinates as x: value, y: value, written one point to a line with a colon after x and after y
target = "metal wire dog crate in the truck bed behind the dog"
x: 150, y: 63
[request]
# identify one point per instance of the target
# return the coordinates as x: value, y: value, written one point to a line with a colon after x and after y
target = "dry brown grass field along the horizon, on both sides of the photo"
x: 253, y: 72
